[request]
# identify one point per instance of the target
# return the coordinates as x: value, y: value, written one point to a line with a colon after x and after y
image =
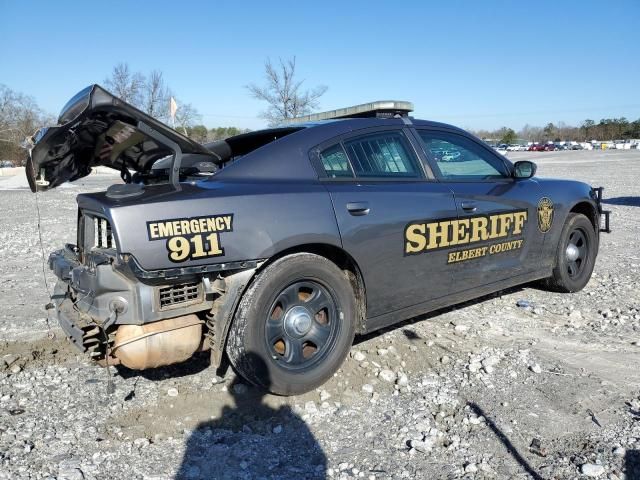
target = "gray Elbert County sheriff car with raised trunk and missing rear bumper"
x: 297, y: 239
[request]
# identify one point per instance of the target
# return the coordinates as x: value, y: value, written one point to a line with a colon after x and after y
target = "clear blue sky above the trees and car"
x: 473, y: 64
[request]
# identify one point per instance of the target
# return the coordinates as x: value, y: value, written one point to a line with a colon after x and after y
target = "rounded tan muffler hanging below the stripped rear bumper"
x: 159, y: 343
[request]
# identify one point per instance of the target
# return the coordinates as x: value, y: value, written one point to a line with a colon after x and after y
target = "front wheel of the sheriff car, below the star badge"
x: 569, y: 274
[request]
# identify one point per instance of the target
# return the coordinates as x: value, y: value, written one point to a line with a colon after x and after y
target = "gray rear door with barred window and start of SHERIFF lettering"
x: 379, y: 188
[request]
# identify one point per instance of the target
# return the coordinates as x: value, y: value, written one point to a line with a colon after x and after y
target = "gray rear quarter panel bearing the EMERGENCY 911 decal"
x: 260, y: 220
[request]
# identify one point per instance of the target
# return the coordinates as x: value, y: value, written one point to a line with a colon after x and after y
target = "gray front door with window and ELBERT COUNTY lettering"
x: 497, y: 234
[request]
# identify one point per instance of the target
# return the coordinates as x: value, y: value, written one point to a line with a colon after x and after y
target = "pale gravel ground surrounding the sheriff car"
x: 488, y: 389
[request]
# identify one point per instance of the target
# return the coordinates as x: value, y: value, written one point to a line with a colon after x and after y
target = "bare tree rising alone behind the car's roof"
x: 284, y: 93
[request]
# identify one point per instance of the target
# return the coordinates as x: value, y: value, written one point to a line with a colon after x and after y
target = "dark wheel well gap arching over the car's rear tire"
x: 345, y: 262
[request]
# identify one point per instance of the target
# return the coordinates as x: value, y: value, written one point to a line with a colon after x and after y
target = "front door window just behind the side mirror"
x: 457, y: 157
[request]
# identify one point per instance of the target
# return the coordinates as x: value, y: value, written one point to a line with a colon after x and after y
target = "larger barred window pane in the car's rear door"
x: 385, y: 154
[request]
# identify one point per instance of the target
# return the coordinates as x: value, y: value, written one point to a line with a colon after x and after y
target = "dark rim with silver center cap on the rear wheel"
x: 301, y: 326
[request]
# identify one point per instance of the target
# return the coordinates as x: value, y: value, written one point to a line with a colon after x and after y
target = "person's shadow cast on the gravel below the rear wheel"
x: 252, y: 440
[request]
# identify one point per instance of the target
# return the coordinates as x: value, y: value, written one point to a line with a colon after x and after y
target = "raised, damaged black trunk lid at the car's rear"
x: 97, y: 128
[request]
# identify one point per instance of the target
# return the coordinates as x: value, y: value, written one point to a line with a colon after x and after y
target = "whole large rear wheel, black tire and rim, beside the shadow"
x: 297, y: 293
